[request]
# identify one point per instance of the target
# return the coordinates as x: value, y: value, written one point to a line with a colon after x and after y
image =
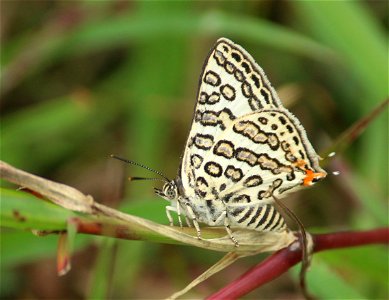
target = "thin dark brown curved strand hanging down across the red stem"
x: 304, y: 248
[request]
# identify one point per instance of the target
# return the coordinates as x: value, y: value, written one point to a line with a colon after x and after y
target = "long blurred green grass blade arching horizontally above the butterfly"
x: 105, y: 33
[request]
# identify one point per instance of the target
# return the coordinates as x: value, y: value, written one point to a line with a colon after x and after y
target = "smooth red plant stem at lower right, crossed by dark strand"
x: 282, y: 260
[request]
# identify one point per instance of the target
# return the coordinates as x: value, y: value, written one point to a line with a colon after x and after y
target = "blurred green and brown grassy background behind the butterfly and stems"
x: 81, y: 80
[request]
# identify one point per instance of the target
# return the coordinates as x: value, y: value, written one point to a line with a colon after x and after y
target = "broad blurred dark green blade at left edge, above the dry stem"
x: 55, y: 121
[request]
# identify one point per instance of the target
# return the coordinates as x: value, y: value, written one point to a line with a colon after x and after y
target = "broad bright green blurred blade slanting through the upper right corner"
x: 349, y: 28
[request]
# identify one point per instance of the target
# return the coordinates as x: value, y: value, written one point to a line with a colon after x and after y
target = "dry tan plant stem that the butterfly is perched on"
x: 114, y: 221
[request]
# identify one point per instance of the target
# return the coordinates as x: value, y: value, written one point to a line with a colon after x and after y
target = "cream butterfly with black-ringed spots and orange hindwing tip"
x: 244, y: 149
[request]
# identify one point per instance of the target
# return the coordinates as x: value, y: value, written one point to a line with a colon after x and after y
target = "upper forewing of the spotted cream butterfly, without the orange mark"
x: 231, y: 85
